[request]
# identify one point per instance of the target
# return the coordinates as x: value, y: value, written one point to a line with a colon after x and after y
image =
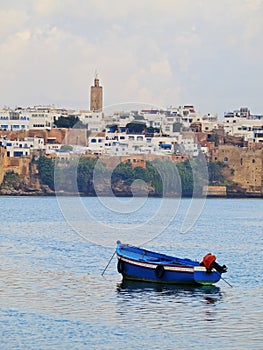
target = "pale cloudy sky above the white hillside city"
x: 208, y: 53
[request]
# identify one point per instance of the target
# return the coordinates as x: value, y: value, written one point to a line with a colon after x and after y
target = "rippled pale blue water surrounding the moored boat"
x: 52, y: 294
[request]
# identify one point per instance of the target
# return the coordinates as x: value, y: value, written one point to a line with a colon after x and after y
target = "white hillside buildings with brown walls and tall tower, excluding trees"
x: 135, y: 137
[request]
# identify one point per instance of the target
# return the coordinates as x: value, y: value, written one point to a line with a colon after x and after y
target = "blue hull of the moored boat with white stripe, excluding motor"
x: 137, y: 269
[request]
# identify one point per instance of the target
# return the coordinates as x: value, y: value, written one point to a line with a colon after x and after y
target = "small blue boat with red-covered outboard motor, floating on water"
x: 139, y: 264
